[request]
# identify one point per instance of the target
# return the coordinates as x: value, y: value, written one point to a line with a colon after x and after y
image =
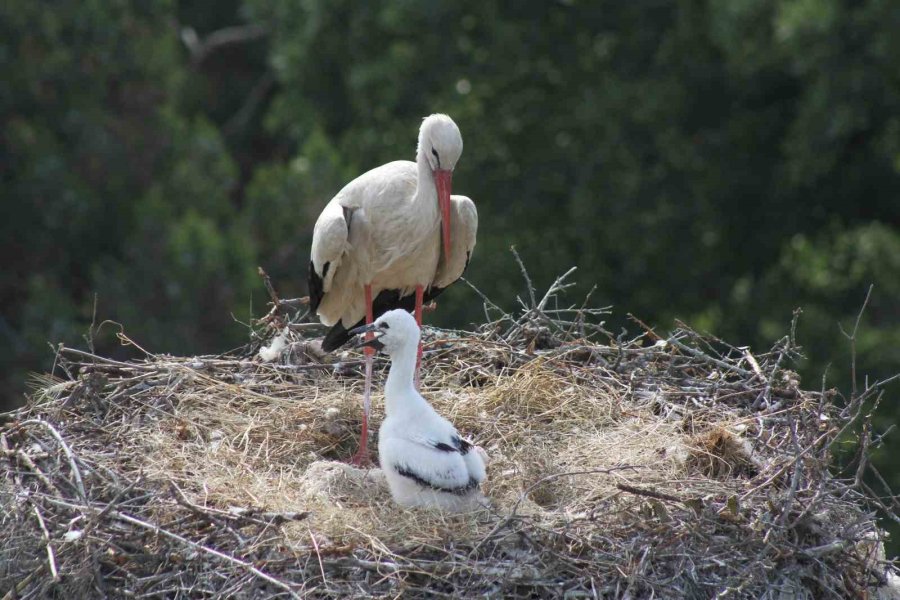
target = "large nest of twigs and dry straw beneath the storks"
x: 676, y: 467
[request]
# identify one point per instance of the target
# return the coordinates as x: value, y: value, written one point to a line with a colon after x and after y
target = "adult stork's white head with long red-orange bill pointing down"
x: 440, y: 143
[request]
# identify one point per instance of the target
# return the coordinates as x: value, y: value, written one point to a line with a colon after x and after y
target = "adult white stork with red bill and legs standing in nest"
x: 378, y: 243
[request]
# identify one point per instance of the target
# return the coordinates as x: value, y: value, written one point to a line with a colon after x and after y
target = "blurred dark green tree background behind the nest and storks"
x: 718, y: 162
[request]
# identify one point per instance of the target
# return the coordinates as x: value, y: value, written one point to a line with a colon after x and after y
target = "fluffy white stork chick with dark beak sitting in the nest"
x: 423, y: 457
